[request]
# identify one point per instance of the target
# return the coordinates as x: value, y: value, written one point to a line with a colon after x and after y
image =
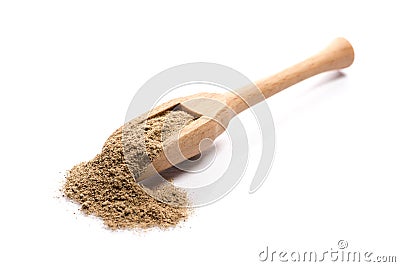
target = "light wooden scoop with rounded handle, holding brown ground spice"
x: 213, y: 111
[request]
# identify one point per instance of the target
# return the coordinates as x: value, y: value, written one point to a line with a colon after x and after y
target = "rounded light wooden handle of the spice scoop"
x: 338, y: 55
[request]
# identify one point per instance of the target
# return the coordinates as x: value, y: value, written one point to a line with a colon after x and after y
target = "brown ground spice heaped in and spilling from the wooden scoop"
x: 105, y: 186
